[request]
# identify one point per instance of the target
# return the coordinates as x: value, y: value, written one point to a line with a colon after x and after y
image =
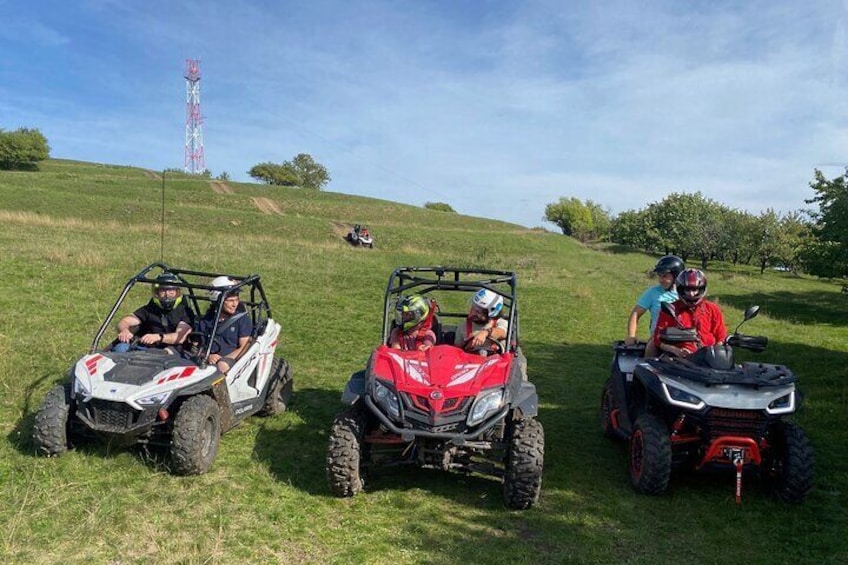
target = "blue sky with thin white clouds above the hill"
x: 497, y: 108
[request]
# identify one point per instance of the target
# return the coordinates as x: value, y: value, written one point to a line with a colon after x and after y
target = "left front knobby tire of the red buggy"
x: 345, y: 452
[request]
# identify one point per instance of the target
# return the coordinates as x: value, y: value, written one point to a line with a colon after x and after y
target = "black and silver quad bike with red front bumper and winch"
x: 706, y: 411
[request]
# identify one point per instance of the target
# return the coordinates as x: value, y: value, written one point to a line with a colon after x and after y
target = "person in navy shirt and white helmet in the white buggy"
x: 235, y: 327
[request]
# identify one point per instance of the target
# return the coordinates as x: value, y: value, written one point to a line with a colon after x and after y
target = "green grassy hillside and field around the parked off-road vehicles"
x: 72, y: 233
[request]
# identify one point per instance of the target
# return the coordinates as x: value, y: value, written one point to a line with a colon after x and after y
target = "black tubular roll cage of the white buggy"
x: 257, y: 304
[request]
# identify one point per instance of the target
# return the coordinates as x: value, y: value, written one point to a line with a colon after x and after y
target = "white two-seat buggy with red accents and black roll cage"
x: 179, y: 400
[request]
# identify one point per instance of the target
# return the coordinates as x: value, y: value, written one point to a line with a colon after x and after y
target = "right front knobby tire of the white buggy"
x: 196, y: 434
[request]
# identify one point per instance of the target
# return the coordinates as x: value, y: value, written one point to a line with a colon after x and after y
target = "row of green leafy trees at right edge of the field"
x: 697, y: 228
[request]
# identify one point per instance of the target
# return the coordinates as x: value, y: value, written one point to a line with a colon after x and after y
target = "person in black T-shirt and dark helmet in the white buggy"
x: 164, y: 320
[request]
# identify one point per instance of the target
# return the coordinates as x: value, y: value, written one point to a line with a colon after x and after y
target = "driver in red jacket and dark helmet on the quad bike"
x: 692, y: 311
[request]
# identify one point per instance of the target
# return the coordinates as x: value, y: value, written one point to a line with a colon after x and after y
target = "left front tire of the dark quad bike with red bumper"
x: 650, y: 455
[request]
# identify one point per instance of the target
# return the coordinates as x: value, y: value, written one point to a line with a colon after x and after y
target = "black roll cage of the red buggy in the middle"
x: 425, y: 280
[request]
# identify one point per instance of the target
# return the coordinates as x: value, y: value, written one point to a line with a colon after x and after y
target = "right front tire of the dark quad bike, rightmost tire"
x: 791, y: 475
